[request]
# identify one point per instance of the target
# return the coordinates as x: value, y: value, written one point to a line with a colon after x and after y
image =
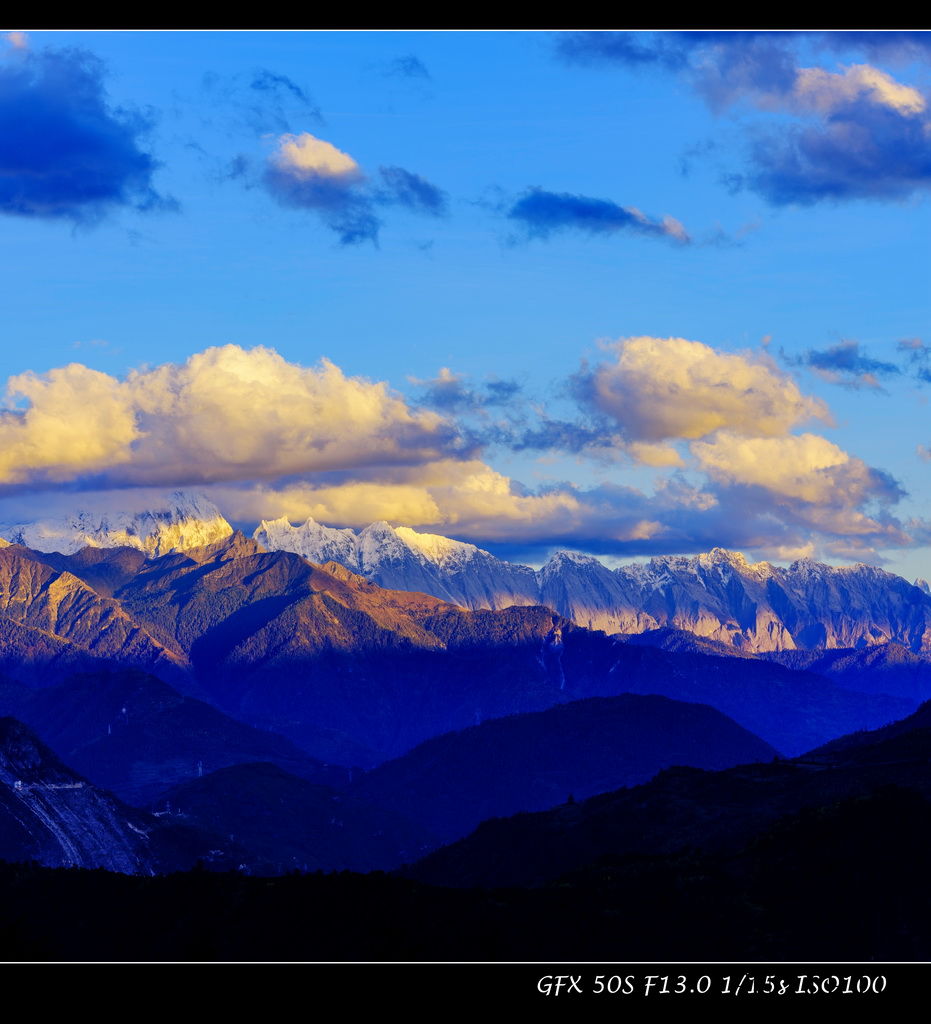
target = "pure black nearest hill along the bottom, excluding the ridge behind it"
x: 828, y: 885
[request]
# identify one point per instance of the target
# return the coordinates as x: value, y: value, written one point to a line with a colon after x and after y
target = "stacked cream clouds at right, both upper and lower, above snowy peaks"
x: 683, y: 406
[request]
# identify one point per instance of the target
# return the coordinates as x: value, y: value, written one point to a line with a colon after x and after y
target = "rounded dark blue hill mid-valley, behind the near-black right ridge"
x: 535, y: 761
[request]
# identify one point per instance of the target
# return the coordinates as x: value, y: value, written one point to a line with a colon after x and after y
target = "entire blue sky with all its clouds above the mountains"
x: 632, y: 294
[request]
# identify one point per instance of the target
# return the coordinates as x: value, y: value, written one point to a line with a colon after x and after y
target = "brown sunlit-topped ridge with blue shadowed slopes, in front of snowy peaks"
x: 354, y: 673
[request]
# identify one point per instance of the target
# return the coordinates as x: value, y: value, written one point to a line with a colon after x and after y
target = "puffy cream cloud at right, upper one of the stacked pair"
x: 661, y: 389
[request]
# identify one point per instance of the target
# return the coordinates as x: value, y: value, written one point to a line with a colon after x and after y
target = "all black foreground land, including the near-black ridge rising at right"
x: 821, y: 860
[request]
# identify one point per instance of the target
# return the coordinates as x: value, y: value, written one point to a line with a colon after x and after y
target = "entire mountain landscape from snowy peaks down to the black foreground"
x: 180, y: 694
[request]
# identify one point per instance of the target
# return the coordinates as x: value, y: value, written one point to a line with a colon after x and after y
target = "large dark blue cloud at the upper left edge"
x: 65, y: 151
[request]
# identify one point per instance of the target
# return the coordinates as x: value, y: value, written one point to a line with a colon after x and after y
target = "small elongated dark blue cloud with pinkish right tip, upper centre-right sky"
x: 542, y: 215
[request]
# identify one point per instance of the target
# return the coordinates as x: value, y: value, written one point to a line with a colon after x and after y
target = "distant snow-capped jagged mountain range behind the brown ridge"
x: 718, y: 595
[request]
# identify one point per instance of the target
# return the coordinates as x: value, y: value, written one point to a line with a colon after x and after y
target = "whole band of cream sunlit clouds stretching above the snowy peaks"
x: 267, y: 438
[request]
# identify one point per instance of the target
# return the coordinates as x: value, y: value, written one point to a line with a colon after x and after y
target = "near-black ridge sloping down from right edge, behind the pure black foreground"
x: 717, y: 814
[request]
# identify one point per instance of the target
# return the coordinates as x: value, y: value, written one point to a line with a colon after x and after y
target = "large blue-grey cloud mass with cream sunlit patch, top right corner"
x: 858, y: 133
